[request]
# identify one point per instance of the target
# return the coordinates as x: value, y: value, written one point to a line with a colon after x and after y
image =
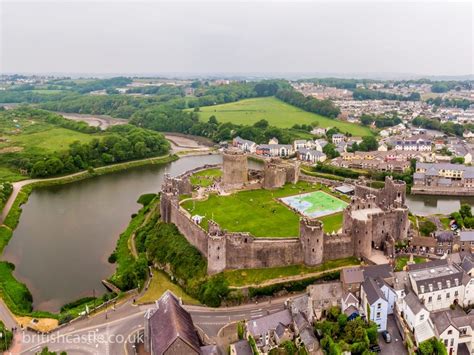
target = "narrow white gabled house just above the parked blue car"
x: 374, y: 303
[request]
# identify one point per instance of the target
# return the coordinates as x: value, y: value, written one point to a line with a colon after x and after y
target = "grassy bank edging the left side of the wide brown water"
x: 15, y: 294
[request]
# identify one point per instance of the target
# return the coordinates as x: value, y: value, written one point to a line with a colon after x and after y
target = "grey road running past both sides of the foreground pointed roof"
x: 106, y: 333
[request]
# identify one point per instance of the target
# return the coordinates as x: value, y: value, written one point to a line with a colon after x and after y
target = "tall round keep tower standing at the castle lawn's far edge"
x: 235, y: 168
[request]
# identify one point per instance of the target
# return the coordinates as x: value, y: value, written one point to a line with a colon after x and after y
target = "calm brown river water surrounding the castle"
x: 66, y: 233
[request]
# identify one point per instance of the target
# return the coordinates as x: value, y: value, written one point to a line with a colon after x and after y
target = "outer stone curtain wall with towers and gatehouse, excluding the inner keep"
x: 229, y: 250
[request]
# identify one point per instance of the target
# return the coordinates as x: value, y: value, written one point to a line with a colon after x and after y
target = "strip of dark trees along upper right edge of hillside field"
x: 310, y: 104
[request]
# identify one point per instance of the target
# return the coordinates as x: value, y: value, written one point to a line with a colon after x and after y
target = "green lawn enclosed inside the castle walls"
x: 257, y: 211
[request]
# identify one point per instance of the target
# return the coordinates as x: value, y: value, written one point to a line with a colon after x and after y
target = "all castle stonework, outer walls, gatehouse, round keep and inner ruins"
x: 375, y: 218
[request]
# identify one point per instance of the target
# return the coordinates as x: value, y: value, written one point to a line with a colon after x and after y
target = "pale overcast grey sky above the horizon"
x: 258, y: 37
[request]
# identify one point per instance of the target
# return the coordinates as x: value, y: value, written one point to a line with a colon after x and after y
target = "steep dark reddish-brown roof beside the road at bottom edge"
x: 169, y: 322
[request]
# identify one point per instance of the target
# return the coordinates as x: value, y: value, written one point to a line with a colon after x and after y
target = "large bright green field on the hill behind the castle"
x: 277, y: 113
